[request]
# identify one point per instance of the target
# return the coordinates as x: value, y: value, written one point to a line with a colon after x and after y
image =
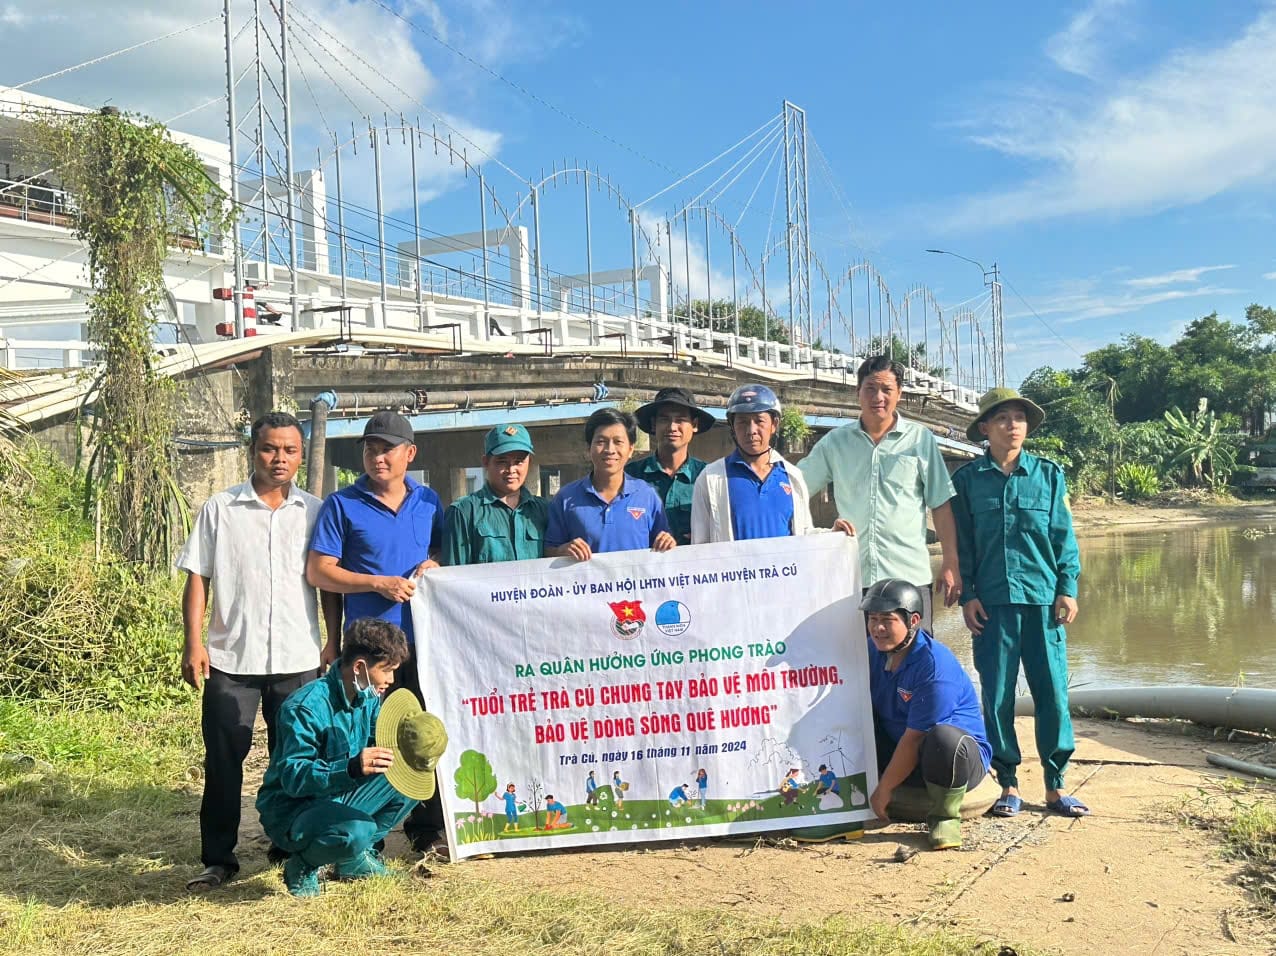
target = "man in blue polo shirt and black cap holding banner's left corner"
x: 371, y: 544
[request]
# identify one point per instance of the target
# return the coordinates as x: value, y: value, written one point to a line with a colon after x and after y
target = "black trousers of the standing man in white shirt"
x: 230, y: 708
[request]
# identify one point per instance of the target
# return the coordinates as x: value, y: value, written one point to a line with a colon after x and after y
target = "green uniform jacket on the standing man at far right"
x: 1015, y: 538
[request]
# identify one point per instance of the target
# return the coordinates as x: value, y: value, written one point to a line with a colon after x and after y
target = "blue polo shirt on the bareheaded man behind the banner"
x: 630, y: 523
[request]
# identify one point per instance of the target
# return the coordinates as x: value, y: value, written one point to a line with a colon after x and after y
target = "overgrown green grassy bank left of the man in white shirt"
x: 75, y: 629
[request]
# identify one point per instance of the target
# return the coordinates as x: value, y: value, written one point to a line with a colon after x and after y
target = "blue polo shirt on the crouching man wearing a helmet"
x: 930, y: 689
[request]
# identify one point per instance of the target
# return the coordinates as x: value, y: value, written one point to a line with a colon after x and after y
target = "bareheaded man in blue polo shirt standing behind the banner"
x: 608, y: 511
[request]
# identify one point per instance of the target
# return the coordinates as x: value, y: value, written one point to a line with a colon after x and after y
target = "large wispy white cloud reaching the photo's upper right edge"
x: 1195, y: 126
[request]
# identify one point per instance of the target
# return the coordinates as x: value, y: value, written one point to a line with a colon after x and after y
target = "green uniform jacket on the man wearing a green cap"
x: 482, y: 529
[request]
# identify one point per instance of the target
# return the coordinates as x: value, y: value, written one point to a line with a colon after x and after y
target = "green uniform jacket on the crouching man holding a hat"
x: 320, y: 732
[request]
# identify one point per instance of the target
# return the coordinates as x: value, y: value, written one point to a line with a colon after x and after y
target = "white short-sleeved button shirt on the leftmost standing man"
x: 265, y: 618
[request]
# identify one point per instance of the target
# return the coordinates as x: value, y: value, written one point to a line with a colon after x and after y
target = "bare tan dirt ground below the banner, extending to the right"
x: 1131, y: 879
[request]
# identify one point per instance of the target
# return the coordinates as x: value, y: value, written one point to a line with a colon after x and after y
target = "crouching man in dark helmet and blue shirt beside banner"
x: 926, y: 712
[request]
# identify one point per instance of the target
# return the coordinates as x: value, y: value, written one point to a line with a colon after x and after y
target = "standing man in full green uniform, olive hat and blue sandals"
x: 1020, y: 565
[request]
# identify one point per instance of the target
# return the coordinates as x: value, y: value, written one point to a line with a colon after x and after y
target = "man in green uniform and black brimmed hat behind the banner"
x: 673, y: 421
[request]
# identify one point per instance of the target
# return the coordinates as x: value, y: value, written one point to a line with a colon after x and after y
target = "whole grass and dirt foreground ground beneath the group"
x: 101, y: 832
